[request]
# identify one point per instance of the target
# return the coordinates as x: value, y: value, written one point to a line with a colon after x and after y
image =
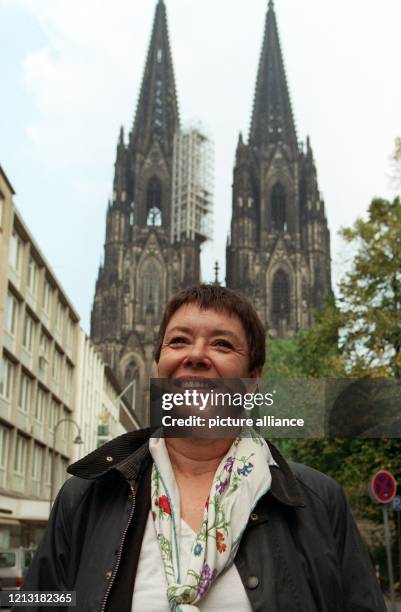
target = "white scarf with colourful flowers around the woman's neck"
x: 241, y: 479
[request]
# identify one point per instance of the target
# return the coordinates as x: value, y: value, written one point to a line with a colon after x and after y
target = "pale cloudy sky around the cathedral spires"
x: 70, y: 72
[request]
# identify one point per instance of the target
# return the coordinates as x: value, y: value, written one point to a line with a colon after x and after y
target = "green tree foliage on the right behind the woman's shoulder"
x: 359, y: 336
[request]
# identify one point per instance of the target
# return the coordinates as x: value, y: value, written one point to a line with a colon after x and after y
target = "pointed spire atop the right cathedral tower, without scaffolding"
x: 272, y: 119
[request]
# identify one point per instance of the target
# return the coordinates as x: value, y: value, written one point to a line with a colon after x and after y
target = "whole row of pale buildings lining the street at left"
x: 58, y: 399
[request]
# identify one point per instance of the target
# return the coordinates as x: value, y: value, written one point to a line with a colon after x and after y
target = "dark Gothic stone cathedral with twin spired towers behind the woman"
x: 278, y: 251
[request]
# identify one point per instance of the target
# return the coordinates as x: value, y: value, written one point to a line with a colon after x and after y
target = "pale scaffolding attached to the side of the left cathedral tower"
x: 193, y: 184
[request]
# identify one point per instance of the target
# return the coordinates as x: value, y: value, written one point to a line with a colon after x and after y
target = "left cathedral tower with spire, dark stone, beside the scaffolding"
x: 143, y: 264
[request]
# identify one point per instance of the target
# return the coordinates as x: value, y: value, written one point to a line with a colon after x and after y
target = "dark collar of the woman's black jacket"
x: 128, y: 454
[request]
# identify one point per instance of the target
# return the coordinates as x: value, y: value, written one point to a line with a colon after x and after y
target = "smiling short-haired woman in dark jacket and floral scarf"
x: 149, y: 524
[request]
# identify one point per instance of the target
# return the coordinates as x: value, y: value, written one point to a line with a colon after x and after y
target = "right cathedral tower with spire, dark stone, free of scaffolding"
x: 278, y: 252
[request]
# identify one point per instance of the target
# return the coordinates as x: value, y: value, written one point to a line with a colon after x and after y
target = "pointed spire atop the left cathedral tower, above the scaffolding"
x: 157, y: 115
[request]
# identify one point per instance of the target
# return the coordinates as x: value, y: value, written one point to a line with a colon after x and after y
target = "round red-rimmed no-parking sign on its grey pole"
x: 383, y: 487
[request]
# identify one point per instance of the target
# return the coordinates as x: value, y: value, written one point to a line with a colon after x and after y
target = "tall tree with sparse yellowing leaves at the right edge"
x: 371, y: 293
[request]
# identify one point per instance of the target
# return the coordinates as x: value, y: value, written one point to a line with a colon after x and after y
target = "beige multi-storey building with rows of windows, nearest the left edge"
x: 38, y: 347
